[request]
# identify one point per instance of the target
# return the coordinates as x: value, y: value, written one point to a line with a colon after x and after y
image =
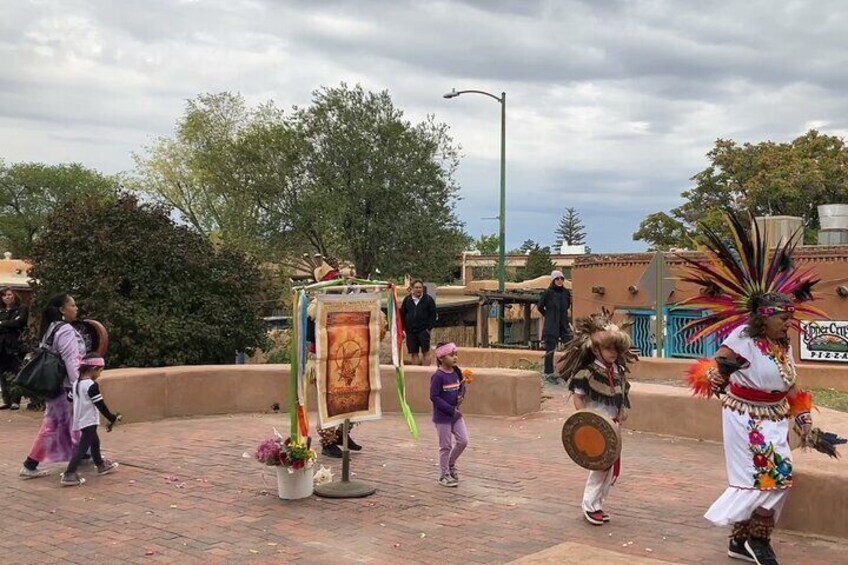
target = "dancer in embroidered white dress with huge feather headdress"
x: 753, y: 294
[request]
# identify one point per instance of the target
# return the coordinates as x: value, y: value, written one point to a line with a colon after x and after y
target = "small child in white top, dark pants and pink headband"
x: 87, y: 402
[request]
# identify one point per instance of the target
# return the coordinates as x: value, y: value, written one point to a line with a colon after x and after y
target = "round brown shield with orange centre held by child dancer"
x: 591, y: 440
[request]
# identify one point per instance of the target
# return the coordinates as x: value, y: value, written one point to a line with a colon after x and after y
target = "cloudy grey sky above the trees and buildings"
x: 611, y: 105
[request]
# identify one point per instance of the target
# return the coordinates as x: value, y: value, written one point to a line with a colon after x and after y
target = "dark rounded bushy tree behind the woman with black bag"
x: 164, y: 292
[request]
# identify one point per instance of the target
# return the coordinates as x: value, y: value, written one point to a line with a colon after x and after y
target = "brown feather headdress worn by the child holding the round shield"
x: 591, y: 330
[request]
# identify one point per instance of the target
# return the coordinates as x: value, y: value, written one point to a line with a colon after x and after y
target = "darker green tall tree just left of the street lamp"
x: 376, y: 188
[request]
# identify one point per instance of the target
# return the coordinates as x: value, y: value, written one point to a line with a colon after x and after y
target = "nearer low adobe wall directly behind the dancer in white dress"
x: 819, y: 500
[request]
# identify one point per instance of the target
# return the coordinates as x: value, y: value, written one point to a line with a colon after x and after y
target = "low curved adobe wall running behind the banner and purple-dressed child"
x: 153, y: 394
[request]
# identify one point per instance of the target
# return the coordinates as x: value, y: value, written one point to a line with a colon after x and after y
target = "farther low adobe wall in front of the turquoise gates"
x: 648, y: 369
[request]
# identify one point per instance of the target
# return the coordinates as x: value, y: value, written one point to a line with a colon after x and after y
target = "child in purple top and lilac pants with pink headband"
x: 447, y: 391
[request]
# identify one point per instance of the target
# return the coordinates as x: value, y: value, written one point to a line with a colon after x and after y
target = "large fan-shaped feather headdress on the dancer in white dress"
x: 739, y: 278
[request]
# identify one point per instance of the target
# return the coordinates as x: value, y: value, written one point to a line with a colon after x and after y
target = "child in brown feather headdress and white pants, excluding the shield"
x: 595, y: 367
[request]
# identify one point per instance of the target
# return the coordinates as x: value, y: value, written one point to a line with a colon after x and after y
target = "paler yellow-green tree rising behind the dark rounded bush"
x: 223, y: 169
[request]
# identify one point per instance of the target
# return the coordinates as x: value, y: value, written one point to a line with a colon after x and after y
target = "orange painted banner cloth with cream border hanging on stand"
x: 347, y: 331
